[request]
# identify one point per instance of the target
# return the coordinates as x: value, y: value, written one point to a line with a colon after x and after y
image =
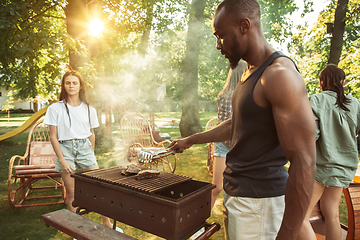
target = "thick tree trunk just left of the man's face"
x: 190, y: 118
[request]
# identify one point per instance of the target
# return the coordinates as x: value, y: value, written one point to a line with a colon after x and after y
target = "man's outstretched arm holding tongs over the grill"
x: 219, y: 133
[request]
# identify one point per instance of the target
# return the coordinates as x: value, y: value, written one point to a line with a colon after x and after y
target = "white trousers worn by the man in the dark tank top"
x: 252, y: 218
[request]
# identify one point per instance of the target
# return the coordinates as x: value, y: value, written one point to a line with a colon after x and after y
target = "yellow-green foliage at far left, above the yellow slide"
x: 31, y: 46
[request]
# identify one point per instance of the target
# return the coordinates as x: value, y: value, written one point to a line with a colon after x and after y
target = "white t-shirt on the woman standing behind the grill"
x: 56, y: 115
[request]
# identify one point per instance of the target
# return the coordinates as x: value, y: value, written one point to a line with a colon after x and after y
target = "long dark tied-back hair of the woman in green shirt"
x: 330, y: 79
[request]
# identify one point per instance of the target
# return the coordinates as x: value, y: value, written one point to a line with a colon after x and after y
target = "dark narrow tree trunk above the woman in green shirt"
x: 338, y: 32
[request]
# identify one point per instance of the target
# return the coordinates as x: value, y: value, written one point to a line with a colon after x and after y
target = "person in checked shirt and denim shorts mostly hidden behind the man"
x: 224, y: 113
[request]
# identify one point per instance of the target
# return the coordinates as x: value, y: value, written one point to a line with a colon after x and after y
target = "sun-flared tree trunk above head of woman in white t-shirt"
x: 76, y: 22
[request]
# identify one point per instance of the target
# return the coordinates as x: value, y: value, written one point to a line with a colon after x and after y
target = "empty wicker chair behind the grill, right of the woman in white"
x: 136, y: 133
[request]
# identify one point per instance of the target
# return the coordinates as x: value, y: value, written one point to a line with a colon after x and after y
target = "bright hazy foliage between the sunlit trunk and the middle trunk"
x: 131, y: 74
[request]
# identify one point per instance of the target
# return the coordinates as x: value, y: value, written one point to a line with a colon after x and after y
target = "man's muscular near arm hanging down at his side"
x: 284, y: 89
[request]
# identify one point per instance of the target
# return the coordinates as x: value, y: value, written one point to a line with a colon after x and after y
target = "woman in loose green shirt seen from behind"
x: 337, y: 125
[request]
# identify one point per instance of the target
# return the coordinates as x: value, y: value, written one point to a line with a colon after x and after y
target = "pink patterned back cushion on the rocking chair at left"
x: 41, y: 153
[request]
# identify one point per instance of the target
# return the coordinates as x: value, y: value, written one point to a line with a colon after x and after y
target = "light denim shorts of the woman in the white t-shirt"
x: 77, y: 152
